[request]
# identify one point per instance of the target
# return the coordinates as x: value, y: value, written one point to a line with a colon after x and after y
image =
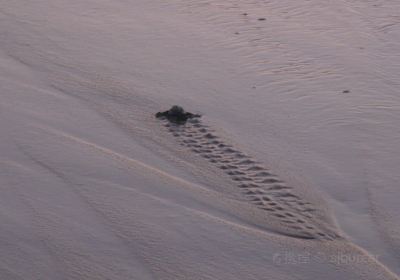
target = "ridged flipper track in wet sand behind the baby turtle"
x: 261, y: 187
